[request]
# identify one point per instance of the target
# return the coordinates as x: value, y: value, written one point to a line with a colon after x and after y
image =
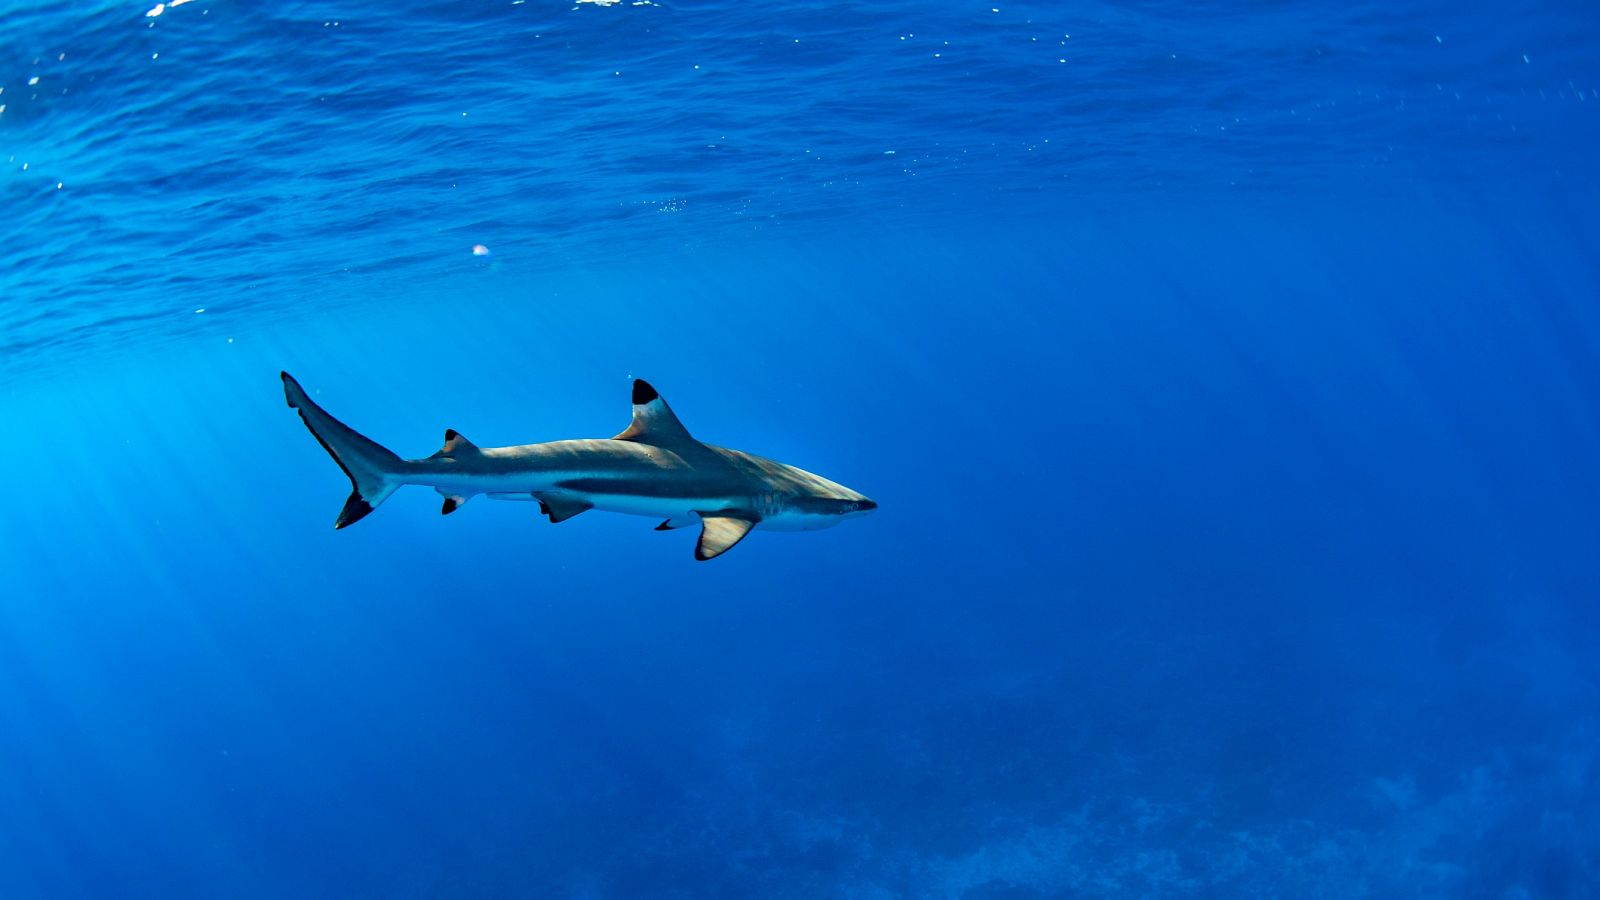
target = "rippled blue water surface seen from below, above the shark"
x: 194, y: 155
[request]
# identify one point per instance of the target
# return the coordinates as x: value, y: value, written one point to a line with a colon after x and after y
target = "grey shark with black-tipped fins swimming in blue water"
x: 652, y: 468
